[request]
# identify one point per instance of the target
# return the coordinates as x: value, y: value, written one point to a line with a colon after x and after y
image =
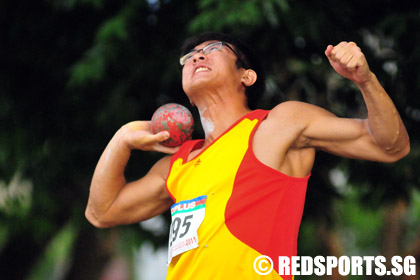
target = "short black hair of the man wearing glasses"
x: 247, y: 55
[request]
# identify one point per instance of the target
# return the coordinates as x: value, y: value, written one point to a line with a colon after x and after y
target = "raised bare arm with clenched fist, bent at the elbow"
x: 380, y: 137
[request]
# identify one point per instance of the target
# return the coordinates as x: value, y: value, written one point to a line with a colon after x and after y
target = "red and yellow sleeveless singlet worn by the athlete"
x: 246, y: 209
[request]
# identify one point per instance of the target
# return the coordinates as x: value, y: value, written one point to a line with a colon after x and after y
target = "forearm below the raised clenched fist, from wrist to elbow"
x: 385, y: 124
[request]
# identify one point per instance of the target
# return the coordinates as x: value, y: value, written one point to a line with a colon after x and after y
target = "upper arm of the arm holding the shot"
x: 142, y: 199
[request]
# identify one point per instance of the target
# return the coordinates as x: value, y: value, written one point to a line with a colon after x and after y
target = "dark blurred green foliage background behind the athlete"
x: 74, y: 71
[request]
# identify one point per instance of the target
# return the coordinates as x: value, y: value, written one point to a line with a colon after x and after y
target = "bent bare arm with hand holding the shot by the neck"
x: 112, y: 200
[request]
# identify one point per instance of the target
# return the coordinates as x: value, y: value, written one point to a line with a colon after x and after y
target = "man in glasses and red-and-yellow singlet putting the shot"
x: 239, y: 193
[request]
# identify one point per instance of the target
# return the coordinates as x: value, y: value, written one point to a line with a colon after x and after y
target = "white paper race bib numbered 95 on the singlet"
x: 187, y: 217
